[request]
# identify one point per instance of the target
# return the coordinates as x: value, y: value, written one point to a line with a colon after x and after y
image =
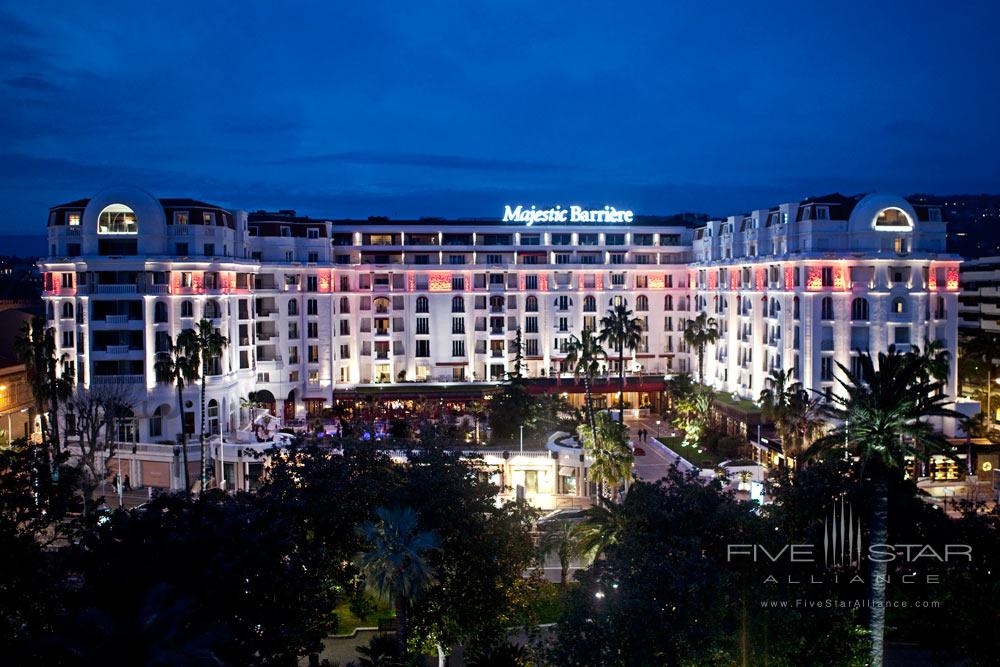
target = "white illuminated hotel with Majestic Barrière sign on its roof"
x: 322, y: 310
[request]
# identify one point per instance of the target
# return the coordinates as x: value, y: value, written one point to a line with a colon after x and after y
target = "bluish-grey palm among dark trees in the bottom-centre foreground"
x: 396, y: 565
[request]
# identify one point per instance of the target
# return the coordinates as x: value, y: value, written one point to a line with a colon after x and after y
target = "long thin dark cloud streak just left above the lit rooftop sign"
x: 423, y: 160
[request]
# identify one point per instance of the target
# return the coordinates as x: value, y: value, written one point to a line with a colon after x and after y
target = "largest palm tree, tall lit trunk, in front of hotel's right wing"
x: 881, y: 420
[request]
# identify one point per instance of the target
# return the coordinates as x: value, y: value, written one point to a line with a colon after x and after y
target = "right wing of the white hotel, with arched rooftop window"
x: 805, y: 286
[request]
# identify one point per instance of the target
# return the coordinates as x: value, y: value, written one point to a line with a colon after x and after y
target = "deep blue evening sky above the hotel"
x: 426, y: 108
